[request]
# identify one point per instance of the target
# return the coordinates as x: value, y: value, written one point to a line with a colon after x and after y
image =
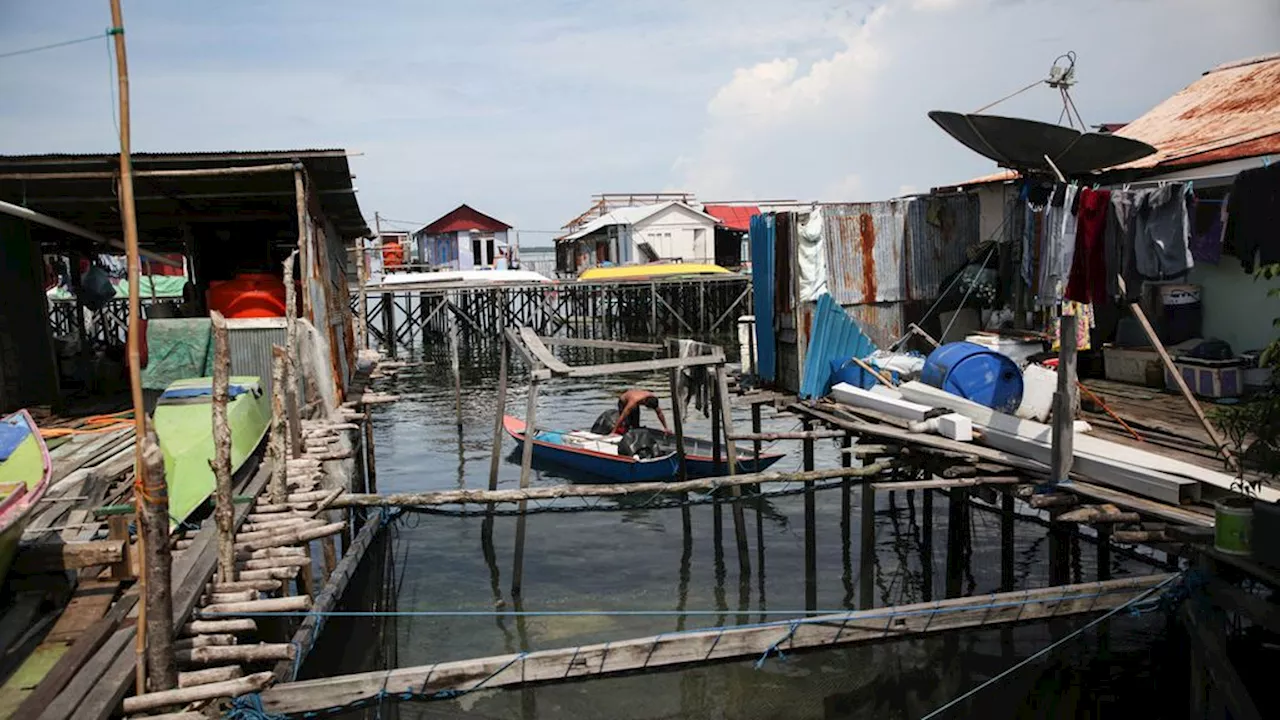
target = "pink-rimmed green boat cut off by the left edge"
x: 25, y: 470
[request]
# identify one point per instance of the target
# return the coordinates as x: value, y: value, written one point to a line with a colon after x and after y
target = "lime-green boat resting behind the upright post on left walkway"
x: 185, y: 425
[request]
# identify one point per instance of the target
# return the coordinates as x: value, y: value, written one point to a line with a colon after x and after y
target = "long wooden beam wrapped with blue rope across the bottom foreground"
x: 716, y: 645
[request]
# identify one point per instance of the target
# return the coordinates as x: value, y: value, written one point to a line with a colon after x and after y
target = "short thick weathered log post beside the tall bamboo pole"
x: 154, y: 525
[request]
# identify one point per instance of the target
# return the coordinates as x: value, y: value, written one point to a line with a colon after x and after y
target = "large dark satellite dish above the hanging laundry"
x: 1023, y: 145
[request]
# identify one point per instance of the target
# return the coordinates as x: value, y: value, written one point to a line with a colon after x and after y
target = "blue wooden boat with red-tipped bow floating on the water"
x: 598, y: 455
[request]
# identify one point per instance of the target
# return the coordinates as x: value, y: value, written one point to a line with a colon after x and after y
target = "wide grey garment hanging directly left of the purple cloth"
x: 1163, y: 240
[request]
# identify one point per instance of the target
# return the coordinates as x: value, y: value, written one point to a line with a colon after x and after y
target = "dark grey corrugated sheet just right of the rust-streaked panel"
x: 940, y: 231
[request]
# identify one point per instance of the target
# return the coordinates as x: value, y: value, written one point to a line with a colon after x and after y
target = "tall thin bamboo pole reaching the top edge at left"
x: 130, y: 224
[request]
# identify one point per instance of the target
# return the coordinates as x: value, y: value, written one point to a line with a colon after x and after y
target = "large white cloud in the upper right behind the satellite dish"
x: 854, y: 119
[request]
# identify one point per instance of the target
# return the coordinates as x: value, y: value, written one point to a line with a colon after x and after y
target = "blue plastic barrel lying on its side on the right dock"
x: 976, y: 373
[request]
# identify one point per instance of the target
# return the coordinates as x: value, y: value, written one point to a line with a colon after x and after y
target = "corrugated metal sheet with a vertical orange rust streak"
x: 866, y: 245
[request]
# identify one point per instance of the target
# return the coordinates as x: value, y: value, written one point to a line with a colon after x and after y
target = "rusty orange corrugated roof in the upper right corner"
x: 1231, y: 112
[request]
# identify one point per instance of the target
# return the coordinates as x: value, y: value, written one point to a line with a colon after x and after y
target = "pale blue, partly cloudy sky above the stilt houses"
x: 527, y: 108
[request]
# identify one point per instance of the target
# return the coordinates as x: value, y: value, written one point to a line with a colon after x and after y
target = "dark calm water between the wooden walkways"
x: 685, y: 563
